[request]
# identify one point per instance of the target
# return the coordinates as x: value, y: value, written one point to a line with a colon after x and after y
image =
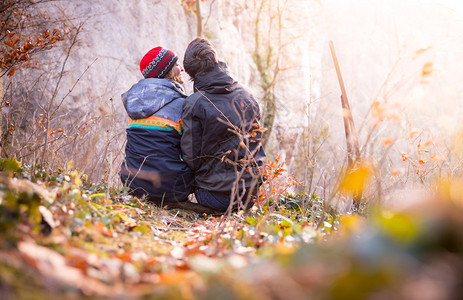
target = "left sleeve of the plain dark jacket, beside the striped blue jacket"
x: 191, y: 137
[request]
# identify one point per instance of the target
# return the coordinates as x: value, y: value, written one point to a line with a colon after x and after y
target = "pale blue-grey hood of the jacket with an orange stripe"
x: 150, y: 95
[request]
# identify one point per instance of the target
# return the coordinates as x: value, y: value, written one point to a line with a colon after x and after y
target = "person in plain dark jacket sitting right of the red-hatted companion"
x: 221, y: 137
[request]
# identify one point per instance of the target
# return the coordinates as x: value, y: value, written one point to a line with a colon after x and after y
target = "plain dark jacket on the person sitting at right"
x: 221, y: 137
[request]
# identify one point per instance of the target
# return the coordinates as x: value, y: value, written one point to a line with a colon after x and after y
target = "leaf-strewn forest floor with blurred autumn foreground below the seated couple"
x: 62, y: 237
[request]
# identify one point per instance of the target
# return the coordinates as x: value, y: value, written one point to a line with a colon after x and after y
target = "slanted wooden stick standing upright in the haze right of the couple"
x: 353, y: 151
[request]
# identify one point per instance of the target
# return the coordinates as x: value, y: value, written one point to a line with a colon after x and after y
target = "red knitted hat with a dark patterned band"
x: 157, y: 62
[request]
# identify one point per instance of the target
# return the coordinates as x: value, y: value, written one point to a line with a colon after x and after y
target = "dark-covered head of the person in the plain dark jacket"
x: 200, y: 57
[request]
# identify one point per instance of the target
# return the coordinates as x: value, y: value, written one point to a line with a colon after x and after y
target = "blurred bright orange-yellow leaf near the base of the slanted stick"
x: 355, y: 179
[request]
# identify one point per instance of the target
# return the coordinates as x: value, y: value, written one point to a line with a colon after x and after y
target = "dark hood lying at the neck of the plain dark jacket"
x: 217, y: 81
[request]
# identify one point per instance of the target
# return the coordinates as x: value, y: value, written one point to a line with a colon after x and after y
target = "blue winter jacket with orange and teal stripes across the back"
x: 153, y: 163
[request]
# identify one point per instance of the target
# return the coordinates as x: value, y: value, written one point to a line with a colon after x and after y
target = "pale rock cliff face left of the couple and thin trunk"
x: 105, y: 63
